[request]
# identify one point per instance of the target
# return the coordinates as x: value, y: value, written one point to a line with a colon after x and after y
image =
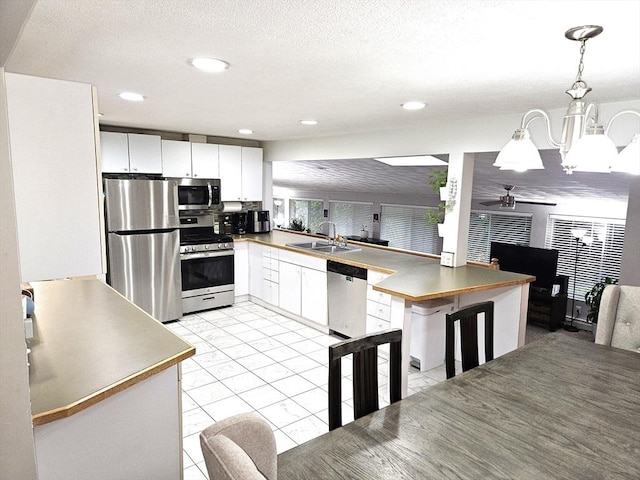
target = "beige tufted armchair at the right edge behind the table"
x: 619, y: 317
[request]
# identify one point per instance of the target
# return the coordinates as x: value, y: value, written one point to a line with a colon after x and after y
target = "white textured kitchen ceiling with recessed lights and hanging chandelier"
x: 348, y: 64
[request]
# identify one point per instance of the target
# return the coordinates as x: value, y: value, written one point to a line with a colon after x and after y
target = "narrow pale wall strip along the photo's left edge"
x: 17, y: 458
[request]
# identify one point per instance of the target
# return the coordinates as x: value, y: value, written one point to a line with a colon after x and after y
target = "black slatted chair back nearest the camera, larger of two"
x: 365, y: 373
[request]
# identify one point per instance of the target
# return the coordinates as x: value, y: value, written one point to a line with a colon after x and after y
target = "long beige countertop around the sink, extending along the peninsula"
x: 414, y: 276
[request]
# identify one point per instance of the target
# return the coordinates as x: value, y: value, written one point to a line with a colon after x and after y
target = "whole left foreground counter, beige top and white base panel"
x: 105, y: 385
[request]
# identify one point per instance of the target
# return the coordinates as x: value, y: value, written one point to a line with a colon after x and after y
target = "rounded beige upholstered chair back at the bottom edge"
x: 241, y: 447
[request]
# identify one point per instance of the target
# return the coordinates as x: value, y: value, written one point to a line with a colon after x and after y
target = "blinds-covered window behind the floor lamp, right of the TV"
x: 593, y: 262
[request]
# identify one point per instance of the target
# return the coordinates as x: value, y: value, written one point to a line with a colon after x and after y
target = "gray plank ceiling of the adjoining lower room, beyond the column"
x: 371, y: 176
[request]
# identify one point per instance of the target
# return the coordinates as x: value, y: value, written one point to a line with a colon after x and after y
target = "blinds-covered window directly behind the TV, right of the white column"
x: 485, y: 228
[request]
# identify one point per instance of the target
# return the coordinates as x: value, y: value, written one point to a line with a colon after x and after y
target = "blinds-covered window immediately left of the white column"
x: 405, y: 227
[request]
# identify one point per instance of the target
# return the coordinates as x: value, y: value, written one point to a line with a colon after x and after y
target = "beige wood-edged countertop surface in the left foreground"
x: 89, y: 344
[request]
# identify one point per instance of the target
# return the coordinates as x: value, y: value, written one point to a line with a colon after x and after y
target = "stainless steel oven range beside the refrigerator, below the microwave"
x: 206, y: 261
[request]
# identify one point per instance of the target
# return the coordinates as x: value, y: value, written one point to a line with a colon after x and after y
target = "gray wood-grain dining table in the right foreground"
x: 557, y: 408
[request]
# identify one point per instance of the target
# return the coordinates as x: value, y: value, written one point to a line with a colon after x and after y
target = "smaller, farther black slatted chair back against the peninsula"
x: 468, y: 318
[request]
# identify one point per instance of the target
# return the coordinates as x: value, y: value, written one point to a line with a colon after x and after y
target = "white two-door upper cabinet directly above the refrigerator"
x: 131, y: 153
